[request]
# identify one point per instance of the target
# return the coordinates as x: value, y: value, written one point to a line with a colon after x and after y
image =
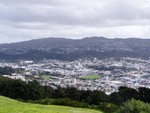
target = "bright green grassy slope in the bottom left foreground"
x: 12, y: 106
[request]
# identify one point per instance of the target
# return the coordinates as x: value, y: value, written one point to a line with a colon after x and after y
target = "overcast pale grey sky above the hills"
x: 31, y: 19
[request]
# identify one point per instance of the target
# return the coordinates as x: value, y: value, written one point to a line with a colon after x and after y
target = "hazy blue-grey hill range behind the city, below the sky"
x: 70, y: 49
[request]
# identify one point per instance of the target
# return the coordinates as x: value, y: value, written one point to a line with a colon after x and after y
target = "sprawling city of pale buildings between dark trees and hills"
x: 85, y: 74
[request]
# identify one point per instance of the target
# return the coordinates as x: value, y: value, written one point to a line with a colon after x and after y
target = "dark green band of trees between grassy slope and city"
x: 34, y: 92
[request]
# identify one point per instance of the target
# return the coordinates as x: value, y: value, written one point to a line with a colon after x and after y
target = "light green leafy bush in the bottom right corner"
x: 135, y: 106
